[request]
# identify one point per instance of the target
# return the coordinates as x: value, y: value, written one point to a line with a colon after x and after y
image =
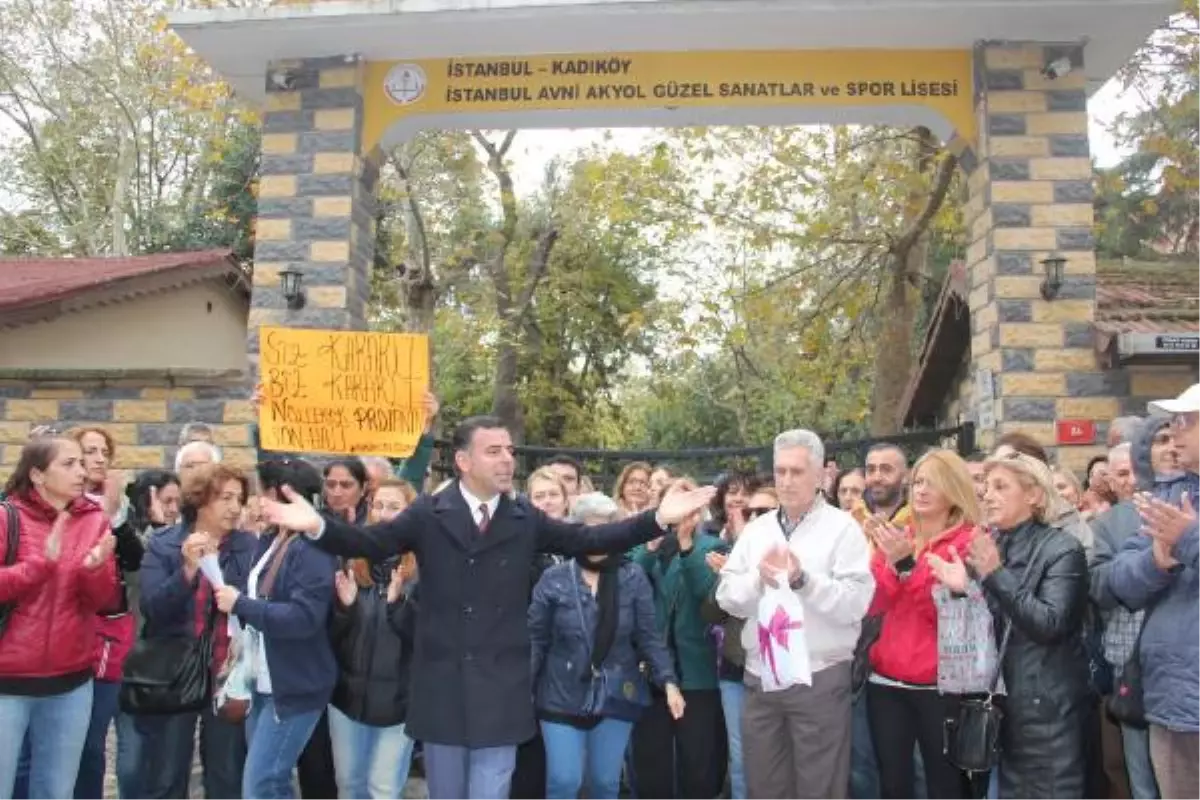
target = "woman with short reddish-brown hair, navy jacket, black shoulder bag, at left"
x: 183, y: 568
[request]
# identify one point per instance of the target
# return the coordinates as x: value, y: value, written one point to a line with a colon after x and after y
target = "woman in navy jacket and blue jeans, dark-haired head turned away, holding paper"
x: 285, y: 612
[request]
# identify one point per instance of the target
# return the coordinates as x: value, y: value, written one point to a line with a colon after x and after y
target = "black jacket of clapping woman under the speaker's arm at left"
x: 374, y: 645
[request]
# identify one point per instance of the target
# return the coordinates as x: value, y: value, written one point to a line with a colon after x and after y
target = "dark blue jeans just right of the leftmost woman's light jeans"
x: 105, y: 711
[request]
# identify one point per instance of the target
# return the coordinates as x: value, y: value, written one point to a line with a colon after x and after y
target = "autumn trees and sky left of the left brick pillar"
x: 117, y: 140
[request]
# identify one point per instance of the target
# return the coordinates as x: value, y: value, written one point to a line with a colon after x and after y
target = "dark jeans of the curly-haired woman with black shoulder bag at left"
x: 169, y: 744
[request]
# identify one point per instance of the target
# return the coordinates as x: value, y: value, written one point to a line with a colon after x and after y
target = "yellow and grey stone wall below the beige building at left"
x: 143, y: 419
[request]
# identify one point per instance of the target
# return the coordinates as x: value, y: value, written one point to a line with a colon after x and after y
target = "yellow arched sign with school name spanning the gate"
x: 940, y: 81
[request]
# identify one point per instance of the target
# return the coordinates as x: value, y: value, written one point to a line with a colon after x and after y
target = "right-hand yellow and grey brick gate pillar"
x: 1030, y: 197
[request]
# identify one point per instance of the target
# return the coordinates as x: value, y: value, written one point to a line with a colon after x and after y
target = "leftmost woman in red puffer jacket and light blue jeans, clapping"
x: 64, y: 575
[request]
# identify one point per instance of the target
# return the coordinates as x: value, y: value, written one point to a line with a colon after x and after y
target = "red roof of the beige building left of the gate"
x: 29, y: 282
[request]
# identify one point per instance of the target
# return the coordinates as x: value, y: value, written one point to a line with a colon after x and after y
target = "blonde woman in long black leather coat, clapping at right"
x: 1036, y: 578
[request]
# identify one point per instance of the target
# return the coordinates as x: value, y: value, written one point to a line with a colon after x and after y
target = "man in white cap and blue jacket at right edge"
x: 1160, y: 572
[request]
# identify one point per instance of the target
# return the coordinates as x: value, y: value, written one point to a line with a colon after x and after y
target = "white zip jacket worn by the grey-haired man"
x: 833, y: 554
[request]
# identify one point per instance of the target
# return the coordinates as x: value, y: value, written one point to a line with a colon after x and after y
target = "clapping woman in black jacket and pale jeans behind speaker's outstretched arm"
x: 373, y: 633
